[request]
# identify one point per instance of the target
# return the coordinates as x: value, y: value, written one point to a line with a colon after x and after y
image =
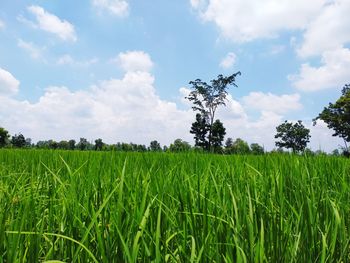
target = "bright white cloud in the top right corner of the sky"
x: 328, y: 31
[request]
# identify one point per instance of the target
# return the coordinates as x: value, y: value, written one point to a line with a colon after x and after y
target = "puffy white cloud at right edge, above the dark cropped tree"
x: 333, y: 73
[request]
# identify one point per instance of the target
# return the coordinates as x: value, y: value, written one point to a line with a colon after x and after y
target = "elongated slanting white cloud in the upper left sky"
x: 51, y: 23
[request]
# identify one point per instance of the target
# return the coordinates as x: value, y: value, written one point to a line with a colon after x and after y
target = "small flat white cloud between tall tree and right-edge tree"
x: 272, y: 103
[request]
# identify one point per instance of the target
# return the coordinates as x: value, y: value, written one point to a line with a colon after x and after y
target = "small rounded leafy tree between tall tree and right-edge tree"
x: 293, y: 136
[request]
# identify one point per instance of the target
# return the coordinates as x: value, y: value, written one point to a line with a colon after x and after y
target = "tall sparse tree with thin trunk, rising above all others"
x: 206, y: 99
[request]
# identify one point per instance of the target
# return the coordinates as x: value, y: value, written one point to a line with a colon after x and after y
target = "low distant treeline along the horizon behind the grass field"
x: 238, y: 146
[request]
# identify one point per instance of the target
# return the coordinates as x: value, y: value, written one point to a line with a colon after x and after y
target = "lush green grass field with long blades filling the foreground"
x: 58, y: 206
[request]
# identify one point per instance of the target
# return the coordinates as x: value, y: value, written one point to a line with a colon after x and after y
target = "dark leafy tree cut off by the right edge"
x: 337, y: 116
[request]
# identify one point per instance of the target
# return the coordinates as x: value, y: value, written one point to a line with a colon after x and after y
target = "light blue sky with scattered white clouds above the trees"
x: 120, y: 69
